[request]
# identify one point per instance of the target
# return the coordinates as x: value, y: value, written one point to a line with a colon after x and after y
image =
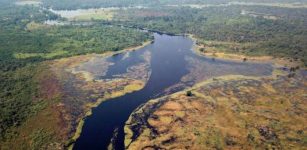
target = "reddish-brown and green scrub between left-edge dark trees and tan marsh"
x: 45, y: 125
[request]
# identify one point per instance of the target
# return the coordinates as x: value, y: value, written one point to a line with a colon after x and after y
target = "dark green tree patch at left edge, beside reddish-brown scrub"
x: 19, y: 97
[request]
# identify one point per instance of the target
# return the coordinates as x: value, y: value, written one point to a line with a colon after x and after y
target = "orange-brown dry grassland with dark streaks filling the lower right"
x: 225, y: 113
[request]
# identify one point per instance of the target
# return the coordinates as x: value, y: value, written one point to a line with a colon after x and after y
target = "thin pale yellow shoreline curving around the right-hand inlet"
x: 276, y: 72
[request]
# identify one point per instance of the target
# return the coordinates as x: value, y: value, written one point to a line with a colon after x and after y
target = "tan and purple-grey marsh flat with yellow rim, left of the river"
x: 82, y: 90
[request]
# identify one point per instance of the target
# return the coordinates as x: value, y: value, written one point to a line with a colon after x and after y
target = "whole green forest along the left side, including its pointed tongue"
x: 24, y: 48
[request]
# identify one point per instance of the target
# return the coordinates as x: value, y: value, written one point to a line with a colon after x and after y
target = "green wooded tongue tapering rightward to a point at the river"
x: 20, y: 46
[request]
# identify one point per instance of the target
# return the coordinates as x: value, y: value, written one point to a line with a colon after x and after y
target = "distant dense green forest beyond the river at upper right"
x: 283, y: 35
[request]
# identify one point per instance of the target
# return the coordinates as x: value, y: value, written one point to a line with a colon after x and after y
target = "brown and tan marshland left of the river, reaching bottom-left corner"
x: 70, y: 88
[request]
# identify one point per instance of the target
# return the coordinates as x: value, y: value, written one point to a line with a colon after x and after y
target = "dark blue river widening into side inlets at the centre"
x: 171, y: 59
